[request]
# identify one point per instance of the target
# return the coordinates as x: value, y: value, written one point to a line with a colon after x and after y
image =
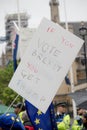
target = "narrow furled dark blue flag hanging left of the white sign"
x: 15, y: 51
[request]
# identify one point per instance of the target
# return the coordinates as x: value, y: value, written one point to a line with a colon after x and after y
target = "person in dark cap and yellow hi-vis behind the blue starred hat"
x: 19, y: 109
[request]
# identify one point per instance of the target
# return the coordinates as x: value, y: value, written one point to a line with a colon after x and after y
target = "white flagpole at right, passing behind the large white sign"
x: 71, y: 71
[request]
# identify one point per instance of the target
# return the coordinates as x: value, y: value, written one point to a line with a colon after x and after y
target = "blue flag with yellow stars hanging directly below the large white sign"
x: 41, y: 121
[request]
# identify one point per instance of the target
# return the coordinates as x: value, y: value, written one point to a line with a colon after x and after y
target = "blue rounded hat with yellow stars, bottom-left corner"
x: 10, y: 121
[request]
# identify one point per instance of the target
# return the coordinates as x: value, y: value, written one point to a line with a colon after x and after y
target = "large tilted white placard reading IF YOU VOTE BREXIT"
x: 45, y: 64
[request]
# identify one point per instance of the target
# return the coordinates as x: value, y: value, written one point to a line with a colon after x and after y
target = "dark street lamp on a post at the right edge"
x: 83, y: 33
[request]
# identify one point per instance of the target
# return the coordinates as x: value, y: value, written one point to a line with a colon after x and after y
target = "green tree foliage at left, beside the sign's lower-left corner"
x: 7, y: 95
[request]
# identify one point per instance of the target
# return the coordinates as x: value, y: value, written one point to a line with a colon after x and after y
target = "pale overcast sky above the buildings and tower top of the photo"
x: 76, y: 10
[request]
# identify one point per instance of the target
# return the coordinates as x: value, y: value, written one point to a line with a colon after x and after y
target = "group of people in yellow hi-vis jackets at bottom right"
x: 63, y: 119
